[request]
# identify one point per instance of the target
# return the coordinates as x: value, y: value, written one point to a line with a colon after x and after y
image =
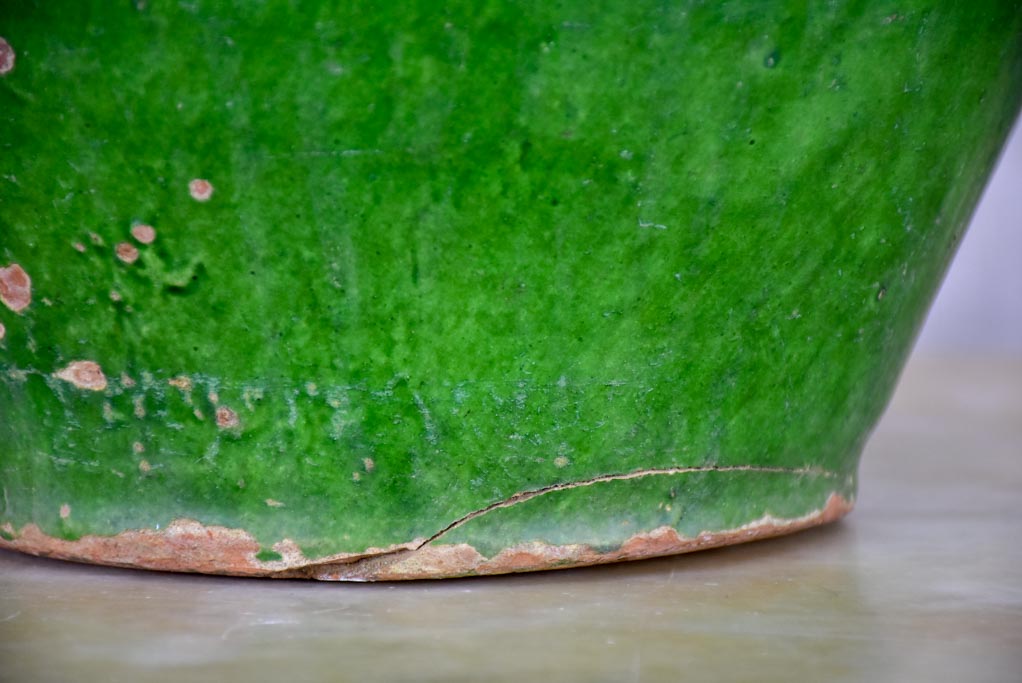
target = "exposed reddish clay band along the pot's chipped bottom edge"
x: 187, y: 545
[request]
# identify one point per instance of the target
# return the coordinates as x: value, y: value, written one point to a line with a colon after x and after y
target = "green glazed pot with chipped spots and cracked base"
x: 393, y: 291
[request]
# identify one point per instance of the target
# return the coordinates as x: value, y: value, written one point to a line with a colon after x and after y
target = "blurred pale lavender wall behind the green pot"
x: 980, y: 307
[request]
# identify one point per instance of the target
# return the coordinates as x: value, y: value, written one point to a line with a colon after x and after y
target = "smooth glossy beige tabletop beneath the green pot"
x: 923, y: 582
